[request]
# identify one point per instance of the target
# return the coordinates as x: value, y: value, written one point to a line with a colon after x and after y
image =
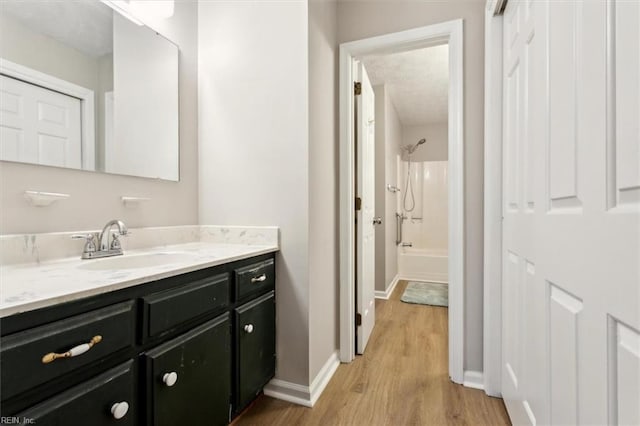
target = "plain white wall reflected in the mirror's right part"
x: 145, y: 105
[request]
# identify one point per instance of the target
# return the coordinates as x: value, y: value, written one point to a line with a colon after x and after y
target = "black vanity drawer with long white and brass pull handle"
x: 23, y: 354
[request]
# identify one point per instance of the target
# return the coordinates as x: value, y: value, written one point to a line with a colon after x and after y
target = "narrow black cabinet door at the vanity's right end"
x: 256, y: 347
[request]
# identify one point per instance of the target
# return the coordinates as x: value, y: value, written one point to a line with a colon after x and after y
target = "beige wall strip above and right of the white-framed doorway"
x: 363, y: 19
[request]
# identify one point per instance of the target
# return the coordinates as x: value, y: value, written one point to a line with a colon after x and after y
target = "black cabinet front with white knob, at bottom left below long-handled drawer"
x: 108, y: 399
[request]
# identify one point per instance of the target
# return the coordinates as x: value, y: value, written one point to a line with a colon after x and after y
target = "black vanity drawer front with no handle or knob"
x: 167, y: 309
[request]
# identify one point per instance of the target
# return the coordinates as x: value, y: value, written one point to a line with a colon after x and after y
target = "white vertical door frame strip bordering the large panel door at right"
x: 492, y: 324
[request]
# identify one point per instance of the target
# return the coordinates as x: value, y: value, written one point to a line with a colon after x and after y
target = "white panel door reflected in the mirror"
x: 38, y: 125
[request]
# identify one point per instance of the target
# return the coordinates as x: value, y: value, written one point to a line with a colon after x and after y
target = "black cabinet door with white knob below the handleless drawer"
x: 189, y: 377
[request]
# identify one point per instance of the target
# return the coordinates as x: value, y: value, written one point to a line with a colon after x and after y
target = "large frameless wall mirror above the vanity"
x: 83, y: 87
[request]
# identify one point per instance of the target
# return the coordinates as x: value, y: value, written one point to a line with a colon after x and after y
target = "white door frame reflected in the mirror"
x: 85, y: 95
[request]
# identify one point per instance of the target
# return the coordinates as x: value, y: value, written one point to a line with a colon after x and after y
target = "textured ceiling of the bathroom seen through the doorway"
x: 417, y: 82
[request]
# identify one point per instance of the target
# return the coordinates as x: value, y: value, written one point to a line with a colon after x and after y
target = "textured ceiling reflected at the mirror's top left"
x: 85, y: 25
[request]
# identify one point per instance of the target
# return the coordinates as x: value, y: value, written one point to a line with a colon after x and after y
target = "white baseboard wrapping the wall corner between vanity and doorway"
x: 304, y: 395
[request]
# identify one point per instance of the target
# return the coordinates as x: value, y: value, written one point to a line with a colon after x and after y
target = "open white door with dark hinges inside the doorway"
x: 365, y: 251
